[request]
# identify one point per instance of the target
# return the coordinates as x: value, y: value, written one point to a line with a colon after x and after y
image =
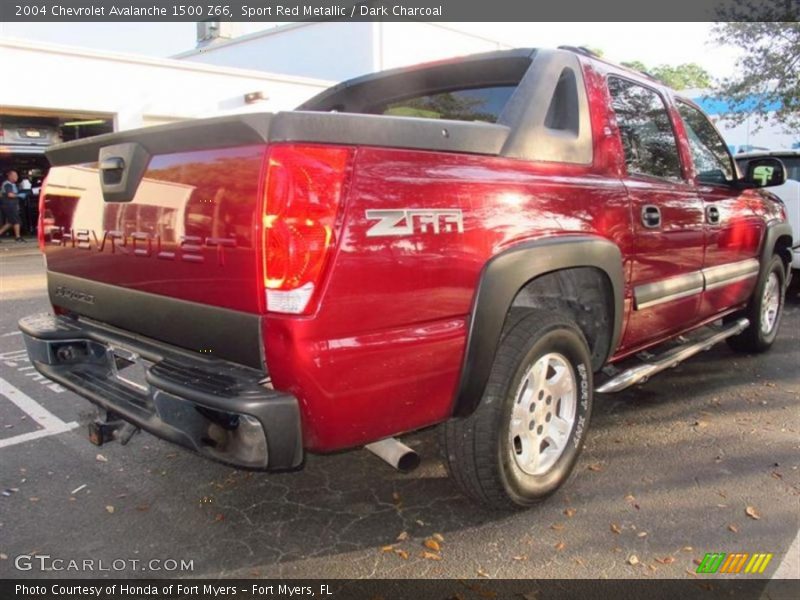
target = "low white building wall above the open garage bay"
x: 134, y: 91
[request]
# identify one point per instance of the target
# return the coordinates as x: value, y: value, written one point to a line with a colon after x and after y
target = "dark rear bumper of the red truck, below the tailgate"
x: 217, y: 408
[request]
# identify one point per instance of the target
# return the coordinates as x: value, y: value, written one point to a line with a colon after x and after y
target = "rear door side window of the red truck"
x: 648, y: 139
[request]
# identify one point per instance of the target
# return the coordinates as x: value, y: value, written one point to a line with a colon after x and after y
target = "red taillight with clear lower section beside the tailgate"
x: 304, y: 190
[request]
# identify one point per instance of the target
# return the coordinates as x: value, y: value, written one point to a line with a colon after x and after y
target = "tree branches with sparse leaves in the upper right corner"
x: 766, y: 84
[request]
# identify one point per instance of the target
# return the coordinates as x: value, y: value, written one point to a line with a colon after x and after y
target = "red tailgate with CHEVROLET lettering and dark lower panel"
x: 176, y: 260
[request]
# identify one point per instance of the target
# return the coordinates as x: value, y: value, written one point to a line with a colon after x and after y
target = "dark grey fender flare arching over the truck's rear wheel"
x: 501, y: 279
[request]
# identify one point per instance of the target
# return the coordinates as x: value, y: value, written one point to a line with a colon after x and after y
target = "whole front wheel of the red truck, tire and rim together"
x: 764, y: 311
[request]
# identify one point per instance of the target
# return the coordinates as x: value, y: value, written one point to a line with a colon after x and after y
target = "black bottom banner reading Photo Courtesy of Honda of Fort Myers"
x: 710, y: 588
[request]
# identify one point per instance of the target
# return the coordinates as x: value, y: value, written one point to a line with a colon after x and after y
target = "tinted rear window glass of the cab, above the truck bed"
x: 471, y: 104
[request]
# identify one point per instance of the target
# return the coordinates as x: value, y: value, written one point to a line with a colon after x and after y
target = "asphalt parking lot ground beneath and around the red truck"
x: 704, y: 458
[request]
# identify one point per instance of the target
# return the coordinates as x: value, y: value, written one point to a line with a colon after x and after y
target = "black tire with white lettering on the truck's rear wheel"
x: 480, y: 454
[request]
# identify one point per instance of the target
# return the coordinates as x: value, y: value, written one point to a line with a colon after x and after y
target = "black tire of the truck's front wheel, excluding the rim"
x: 755, y: 339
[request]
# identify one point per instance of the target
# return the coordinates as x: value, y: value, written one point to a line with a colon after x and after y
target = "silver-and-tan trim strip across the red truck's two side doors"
x: 683, y: 286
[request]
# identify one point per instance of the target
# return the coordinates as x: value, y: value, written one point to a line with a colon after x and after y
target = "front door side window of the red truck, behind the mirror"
x: 709, y: 152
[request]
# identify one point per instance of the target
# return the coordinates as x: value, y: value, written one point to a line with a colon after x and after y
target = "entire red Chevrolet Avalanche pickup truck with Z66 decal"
x: 472, y: 244
